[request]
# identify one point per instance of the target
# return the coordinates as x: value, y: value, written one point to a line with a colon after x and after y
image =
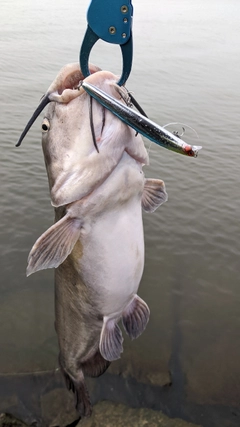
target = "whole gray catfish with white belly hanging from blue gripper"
x: 96, y: 244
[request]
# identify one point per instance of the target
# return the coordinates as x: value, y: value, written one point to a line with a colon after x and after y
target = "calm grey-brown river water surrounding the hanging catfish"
x: 186, y: 70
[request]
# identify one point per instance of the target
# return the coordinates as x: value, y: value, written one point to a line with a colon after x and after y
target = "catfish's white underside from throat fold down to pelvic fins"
x: 112, y: 239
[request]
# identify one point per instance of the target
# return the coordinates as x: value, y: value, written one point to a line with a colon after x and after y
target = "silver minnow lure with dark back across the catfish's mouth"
x: 141, y: 124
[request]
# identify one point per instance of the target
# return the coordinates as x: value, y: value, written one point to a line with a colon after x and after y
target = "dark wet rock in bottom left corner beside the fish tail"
x: 39, y: 399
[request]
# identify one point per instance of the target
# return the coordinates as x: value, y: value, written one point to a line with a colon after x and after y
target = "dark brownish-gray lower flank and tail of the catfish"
x: 78, y: 326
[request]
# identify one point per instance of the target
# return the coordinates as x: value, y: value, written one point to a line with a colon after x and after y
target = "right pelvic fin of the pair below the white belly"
x: 135, y: 317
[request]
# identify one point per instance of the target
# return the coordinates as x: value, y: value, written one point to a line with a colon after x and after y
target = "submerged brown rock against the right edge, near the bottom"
x: 213, y: 375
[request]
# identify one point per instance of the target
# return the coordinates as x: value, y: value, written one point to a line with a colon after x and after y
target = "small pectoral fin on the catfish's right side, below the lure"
x: 154, y: 194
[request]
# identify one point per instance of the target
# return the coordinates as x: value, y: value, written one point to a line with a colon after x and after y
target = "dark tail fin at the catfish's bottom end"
x: 78, y: 387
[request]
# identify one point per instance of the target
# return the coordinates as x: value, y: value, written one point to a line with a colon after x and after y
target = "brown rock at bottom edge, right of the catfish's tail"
x: 108, y: 414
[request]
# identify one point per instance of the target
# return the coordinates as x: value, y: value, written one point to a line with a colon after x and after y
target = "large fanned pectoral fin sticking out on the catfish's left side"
x: 53, y: 247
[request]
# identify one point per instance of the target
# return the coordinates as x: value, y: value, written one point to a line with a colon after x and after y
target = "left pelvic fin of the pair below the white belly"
x: 111, y: 340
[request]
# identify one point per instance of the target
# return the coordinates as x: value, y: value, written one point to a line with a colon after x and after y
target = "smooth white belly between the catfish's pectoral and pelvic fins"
x: 113, y: 257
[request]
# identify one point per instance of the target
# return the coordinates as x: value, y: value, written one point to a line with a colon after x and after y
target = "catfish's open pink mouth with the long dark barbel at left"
x: 63, y: 89
